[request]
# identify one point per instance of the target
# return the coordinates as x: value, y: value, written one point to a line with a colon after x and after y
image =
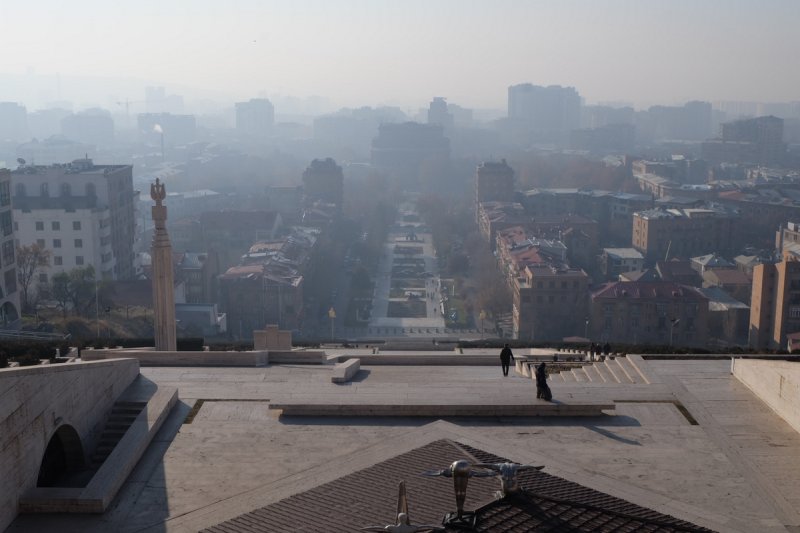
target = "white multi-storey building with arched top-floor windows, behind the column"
x: 81, y: 212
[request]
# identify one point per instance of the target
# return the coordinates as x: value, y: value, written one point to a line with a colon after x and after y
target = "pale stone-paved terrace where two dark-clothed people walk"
x: 730, y: 465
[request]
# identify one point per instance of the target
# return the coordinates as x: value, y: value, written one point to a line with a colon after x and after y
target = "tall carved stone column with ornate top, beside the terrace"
x: 162, y: 276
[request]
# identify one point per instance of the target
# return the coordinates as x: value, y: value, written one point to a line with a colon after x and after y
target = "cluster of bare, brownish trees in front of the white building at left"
x: 75, y: 290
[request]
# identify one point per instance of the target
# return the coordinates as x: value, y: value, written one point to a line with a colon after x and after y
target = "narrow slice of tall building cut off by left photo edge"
x: 9, y: 296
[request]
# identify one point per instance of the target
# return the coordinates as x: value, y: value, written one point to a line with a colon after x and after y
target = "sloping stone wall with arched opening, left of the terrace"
x: 36, y: 401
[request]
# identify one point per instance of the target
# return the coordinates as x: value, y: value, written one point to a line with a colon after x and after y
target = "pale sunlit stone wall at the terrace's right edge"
x: 777, y: 383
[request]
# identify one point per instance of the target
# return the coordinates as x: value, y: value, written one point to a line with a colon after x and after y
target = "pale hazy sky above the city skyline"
x: 368, y: 52
